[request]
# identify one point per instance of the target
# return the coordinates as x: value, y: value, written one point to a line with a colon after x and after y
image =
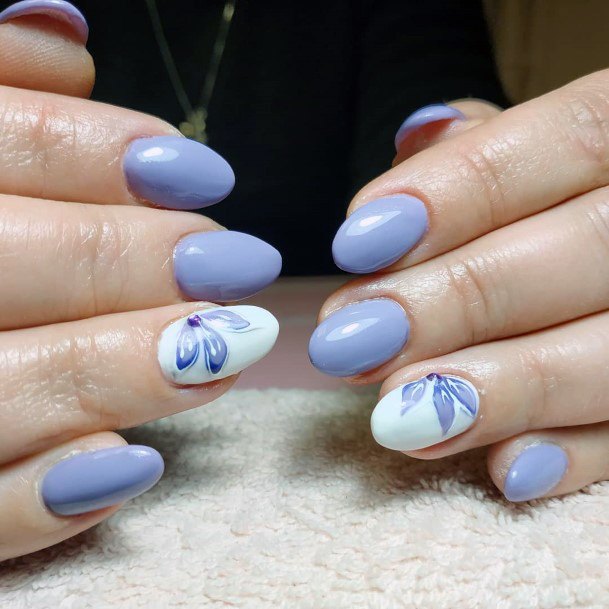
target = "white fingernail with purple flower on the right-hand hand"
x: 425, y: 412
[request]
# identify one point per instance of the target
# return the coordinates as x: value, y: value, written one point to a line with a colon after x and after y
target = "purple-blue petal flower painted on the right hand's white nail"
x: 450, y: 396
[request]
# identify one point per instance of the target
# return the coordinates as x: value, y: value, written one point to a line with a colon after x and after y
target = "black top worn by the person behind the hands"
x: 308, y: 97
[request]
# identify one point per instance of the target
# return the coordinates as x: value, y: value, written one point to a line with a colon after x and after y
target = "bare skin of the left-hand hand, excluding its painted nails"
x: 87, y: 278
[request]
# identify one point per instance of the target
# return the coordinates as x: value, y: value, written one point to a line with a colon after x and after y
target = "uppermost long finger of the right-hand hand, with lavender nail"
x: 518, y: 163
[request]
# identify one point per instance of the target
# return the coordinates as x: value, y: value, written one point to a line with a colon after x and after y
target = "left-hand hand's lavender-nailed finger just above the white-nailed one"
x: 108, y: 259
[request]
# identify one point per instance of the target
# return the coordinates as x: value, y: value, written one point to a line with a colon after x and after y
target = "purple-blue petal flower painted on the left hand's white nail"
x: 200, y: 335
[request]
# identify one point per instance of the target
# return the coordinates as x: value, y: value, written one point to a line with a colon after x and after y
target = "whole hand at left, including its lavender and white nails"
x: 97, y: 331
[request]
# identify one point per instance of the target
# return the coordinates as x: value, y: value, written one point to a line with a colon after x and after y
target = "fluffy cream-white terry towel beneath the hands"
x: 280, y: 498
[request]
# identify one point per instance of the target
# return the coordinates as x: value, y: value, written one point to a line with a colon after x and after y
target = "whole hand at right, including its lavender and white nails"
x: 486, y: 317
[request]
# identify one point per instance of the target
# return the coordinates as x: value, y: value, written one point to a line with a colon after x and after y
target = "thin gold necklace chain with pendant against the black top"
x: 195, y: 124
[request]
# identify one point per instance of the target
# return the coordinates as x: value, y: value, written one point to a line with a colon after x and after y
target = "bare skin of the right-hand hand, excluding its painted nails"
x: 509, y: 288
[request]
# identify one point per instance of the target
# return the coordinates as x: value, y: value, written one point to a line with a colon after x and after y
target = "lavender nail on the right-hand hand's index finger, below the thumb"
x: 379, y: 233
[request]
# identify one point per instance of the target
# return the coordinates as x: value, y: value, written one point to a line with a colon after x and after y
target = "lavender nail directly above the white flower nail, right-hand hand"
x: 359, y: 337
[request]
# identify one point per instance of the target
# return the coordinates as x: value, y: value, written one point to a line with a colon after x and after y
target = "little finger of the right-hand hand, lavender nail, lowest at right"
x: 551, y: 462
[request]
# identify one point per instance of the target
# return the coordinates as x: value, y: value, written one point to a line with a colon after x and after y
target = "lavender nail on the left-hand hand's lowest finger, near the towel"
x: 95, y: 480
